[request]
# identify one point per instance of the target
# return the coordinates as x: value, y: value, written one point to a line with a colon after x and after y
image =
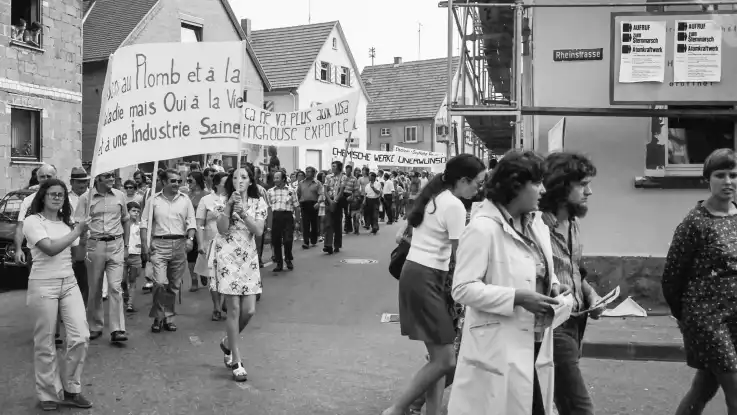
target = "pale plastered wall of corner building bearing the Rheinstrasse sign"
x: 622, y: 220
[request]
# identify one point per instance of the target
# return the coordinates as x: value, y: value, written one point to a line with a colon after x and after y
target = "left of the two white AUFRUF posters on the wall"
x: 642, y: 57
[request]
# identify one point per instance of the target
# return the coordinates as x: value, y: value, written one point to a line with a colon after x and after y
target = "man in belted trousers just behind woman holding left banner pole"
x: 106, y: 253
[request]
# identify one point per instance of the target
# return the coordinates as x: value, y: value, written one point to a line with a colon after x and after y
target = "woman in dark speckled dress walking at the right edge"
x: 700, y: 286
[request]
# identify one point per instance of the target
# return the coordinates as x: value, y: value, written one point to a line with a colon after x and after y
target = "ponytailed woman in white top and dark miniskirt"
x: 438, y: 219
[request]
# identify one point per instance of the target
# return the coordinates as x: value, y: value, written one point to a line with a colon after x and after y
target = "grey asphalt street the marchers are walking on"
x: 316, y: 346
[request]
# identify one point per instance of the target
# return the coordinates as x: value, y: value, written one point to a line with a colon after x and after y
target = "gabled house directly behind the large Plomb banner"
x: 111, y: 24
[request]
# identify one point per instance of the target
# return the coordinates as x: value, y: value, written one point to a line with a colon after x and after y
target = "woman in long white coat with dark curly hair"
x: 504, y: 276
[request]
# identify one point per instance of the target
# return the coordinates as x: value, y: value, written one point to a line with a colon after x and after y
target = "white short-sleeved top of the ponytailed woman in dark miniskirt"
x: 443, y: 221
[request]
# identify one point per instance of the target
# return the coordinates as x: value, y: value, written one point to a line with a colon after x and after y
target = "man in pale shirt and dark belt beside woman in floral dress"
x: 172, y: 227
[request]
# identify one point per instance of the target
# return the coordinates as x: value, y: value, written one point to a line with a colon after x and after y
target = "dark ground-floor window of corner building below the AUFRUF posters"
x: 689, y: 141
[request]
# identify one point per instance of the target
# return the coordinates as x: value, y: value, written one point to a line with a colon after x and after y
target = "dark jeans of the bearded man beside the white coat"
x: 571, y: 395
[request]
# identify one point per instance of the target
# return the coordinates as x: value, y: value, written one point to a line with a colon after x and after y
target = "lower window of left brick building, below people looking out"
x: 25, y: 134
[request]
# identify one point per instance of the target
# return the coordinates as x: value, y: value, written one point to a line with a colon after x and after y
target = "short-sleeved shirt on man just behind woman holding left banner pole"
x: 107, y: 212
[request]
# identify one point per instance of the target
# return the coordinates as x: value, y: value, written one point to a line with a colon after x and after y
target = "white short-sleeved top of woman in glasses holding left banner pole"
x: 37, y: 228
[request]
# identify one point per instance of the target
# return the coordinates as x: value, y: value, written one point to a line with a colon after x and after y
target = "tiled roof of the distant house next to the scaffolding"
x: 410, y: 90
